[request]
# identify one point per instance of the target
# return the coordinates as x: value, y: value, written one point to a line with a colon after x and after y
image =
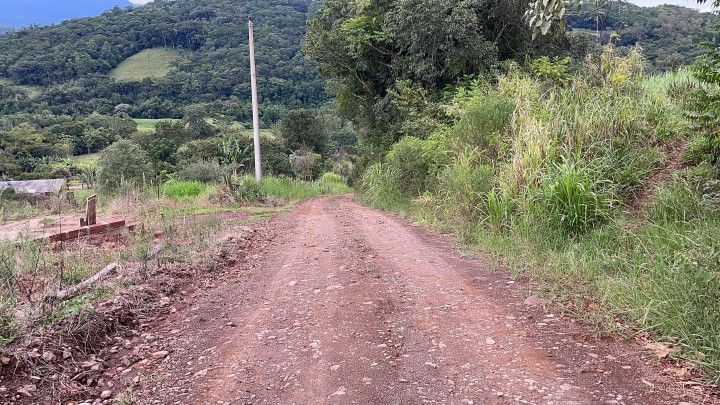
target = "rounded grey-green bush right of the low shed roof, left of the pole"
x: 122, y: 162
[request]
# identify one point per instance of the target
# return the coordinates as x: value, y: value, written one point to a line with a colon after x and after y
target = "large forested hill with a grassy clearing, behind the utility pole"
x: 98, y: 63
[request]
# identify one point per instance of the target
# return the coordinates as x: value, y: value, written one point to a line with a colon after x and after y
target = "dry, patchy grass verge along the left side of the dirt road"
x: 189, y: 216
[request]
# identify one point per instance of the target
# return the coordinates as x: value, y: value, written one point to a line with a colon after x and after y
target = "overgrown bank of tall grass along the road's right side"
x: 550, y: 189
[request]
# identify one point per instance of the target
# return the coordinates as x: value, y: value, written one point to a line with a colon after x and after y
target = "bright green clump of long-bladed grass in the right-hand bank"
x: 573, y: 200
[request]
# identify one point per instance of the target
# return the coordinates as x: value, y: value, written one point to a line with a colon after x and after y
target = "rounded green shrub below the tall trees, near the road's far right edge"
x: 411, y: 165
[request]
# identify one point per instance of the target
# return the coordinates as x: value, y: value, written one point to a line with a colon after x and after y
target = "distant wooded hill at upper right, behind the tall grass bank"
x: 669, y: 35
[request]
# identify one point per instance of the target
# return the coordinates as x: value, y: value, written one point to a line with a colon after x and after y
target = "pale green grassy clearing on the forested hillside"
x: 153, y: 63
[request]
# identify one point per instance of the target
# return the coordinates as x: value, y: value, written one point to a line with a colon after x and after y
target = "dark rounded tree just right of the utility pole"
x: 302, y: 129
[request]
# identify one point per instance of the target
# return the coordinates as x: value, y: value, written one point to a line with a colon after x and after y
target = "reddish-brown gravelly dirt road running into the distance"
x: 352, y: 305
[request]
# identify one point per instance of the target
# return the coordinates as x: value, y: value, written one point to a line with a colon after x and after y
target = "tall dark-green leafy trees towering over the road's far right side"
x: 387, y: 65
